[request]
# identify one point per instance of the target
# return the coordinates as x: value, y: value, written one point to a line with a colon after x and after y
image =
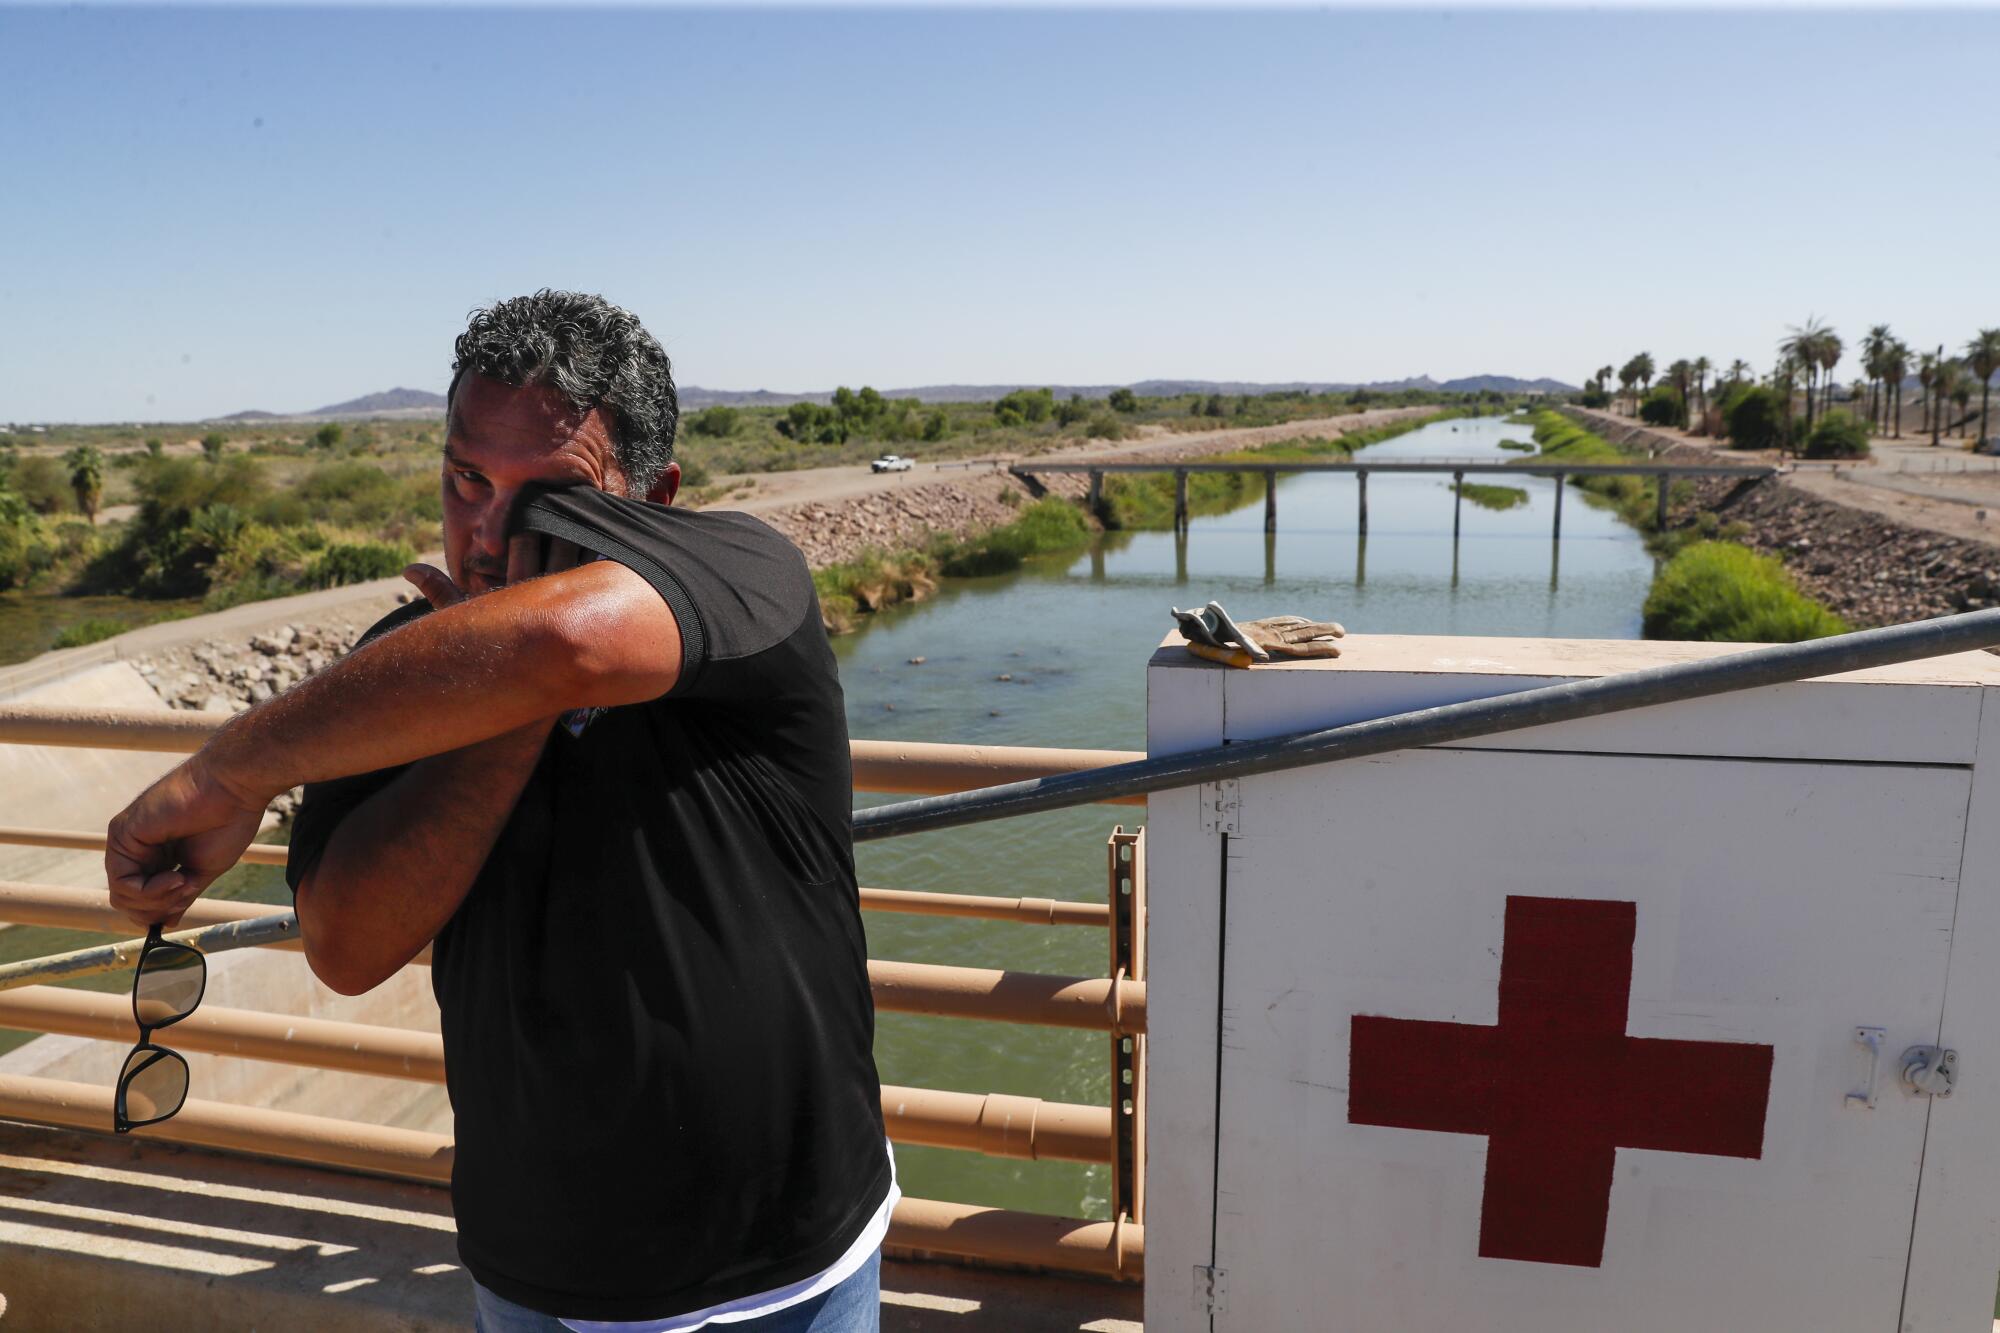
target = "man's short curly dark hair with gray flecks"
x: 595, y: 355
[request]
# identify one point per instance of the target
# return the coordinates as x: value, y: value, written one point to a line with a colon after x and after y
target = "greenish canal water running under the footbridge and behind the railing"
x: 1057, y: 655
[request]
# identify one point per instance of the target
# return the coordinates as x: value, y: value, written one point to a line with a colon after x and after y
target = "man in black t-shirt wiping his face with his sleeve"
x: 605, y: 770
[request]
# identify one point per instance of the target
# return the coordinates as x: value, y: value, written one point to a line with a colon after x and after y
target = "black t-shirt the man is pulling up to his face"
x: 655, y: 998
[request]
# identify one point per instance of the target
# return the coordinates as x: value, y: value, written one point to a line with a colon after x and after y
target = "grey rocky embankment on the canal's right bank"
x: 1865, y: 567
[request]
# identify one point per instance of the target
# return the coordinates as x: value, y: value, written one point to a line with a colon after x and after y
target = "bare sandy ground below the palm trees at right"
x: 1935, y: 489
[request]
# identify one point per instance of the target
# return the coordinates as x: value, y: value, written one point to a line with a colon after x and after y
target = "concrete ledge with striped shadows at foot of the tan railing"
x: 141, y: 1236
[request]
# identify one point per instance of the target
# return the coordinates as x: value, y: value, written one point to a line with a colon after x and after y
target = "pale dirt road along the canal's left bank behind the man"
x: 771, y: 491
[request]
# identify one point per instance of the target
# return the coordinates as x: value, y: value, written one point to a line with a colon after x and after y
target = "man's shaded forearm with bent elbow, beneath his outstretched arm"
x: 403, y: 862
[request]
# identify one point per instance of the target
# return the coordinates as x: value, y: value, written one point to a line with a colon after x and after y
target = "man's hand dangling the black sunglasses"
x: 169, y: 846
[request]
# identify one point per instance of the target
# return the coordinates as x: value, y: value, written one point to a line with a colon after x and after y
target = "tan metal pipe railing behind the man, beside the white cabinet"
x: 995, y: 1124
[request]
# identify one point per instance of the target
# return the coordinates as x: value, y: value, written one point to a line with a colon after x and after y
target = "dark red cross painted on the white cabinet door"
x: 1557, y: 1086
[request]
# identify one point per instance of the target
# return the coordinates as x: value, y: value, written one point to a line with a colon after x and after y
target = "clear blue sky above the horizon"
x: 231, y: 209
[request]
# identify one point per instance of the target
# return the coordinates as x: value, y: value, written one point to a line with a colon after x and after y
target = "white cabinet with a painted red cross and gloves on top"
x: 1779, y: 902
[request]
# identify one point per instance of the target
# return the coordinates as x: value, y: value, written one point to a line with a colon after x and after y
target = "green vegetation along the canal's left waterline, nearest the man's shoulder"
x: 881, y: 579
